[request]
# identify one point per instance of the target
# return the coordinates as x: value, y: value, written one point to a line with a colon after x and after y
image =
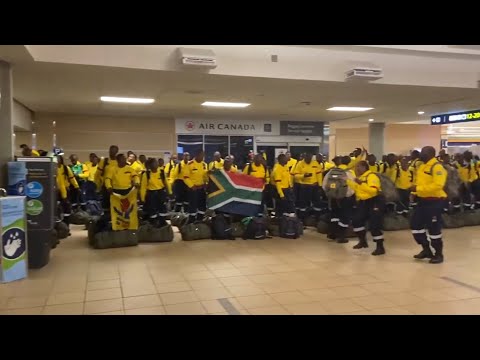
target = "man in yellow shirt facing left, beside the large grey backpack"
x: 370, y: 207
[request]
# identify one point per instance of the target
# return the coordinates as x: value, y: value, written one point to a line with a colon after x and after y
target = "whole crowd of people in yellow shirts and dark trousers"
x: 293, y: 186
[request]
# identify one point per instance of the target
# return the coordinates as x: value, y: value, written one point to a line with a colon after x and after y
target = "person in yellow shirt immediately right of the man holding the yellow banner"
x: 154, y: 190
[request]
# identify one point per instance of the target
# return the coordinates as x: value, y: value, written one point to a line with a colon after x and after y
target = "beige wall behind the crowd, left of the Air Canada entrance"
x: 83, y: 134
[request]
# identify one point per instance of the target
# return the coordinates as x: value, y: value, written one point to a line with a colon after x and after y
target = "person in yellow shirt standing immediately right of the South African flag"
x: 283, y: 184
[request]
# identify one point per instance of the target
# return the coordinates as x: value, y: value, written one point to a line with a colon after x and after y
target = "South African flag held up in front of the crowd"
x: 235, y: 193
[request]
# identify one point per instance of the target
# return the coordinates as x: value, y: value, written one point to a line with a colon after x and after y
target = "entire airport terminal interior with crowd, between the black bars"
x: 239, y: 179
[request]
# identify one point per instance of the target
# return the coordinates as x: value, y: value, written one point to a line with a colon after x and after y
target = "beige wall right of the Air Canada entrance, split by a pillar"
x: 399, y: 139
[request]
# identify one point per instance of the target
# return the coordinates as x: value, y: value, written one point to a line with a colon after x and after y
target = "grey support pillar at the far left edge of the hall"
x: 6, y: 120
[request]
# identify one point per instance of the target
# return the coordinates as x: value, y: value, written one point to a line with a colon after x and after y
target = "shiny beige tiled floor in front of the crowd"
x: 272, y: 277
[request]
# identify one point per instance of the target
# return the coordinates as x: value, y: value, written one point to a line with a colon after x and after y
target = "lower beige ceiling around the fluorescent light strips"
x: 49, y: 87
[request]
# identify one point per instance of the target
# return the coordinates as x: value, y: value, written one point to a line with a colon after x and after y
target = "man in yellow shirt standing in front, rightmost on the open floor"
x: 427, y: 215
